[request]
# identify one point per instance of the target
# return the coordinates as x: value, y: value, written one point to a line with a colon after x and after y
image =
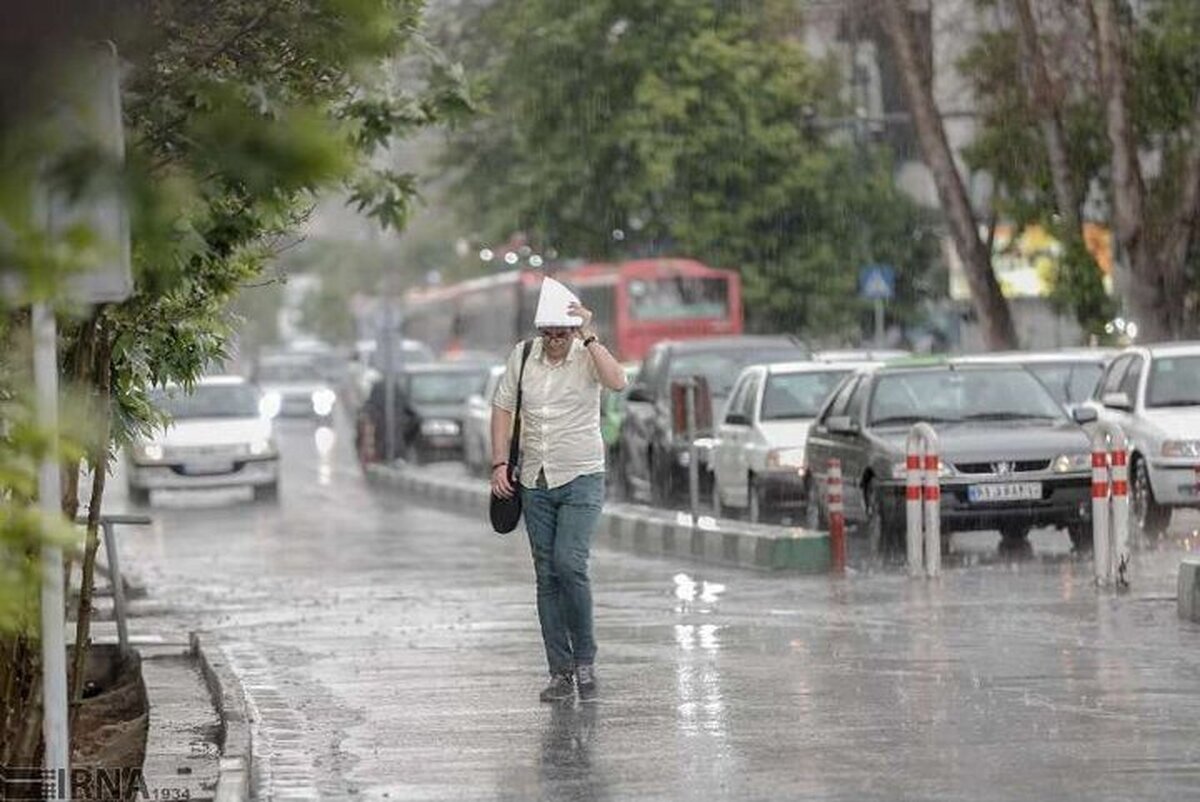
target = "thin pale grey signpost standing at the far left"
x: 50, y: 492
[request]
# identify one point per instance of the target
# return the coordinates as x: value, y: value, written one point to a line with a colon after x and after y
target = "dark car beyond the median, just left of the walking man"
x: 429, y: 403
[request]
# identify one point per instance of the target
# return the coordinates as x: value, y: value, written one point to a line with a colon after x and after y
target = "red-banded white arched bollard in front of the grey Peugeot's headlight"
x: 923, y: 501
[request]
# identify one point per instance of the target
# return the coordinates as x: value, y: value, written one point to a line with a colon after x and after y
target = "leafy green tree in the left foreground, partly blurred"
x: 238, y: 113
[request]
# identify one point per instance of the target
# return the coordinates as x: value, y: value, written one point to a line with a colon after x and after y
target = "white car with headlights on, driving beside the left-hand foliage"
x: 221, y: 435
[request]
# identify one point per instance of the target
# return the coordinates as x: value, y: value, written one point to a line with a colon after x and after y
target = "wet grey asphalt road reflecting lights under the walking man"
x: 393, y: 653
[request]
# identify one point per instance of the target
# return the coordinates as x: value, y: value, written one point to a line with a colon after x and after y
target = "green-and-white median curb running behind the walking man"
x: 644, y: 530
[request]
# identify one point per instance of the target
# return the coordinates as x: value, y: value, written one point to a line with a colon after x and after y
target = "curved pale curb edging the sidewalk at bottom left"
x: 237, y: 747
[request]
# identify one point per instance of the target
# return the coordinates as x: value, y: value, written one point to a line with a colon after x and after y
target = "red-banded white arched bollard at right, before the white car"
x: 1111, y: 504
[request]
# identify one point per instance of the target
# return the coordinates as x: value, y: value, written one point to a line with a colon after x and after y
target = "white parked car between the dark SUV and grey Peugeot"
x: 759, y: 453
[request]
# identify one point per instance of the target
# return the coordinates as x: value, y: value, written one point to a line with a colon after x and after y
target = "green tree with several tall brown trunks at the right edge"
x: 1071, y: 94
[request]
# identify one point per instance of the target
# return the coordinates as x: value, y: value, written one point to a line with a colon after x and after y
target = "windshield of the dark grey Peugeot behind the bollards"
x: 962, y: 396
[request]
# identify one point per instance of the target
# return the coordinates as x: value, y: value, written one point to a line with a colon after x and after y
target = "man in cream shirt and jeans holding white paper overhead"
x: 562, y: 475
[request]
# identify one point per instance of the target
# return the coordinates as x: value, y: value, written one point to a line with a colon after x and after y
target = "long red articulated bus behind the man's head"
x: 637, y: 304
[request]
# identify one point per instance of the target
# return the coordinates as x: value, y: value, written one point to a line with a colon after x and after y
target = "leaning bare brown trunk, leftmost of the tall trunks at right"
x: 989, y: 303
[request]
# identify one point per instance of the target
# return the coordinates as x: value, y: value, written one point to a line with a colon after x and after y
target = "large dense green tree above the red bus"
x: 627, y: 128
